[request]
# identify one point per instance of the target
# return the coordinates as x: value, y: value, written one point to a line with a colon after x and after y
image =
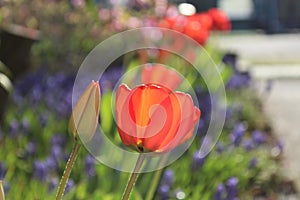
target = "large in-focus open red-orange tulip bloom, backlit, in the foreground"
x: 152, y: 118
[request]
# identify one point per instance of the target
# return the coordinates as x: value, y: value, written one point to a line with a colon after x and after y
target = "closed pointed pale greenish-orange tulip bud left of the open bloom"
x: 84, y: 118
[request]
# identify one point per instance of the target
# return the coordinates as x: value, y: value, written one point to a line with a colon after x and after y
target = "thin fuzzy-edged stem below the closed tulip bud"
x: 67, y: 172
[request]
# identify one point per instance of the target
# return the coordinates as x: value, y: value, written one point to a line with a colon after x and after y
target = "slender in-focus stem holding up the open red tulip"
x: 133, y: 177
